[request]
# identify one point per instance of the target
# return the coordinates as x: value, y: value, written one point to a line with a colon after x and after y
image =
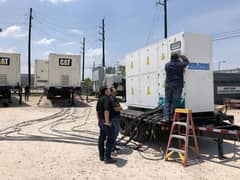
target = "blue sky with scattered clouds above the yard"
x: 59, y: 25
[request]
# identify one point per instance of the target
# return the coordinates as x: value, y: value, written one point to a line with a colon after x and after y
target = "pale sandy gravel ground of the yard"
x: 42, y: 140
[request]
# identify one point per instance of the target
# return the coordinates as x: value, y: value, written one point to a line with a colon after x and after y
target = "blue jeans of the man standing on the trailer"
x: 172, y: 97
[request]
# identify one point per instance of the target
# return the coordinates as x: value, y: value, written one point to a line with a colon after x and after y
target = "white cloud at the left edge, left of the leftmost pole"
x: 13, y: 32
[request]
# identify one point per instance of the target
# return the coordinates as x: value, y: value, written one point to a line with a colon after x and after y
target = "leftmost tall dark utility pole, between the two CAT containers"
x: 29, y: 48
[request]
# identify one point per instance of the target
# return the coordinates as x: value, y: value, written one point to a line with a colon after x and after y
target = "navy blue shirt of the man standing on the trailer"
x: 174, y: 72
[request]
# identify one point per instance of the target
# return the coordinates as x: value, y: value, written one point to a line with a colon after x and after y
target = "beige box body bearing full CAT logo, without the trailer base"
x: 64, y: 70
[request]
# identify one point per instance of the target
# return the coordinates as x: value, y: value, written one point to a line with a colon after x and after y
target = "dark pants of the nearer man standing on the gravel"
x: 106, y: 133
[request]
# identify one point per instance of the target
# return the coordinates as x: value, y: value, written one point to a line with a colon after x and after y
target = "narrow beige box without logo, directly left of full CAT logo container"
x: 41, y: 73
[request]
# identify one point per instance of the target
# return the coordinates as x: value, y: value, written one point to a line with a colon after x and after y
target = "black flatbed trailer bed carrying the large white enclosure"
x: 209, y: 124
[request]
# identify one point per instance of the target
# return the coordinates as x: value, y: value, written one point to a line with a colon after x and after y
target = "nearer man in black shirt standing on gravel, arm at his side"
x: 104, y: 114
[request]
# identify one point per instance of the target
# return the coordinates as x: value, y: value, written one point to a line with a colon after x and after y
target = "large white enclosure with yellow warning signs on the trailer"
x: 145, y: 72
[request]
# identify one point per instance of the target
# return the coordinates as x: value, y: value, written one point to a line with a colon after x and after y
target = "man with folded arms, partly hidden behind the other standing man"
x: 116, y: 116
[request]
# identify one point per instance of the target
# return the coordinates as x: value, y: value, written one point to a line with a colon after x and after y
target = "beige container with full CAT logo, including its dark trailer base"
x: 63, y: 75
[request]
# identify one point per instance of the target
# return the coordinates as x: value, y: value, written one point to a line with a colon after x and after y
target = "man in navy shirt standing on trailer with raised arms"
x: 174, y: 83
